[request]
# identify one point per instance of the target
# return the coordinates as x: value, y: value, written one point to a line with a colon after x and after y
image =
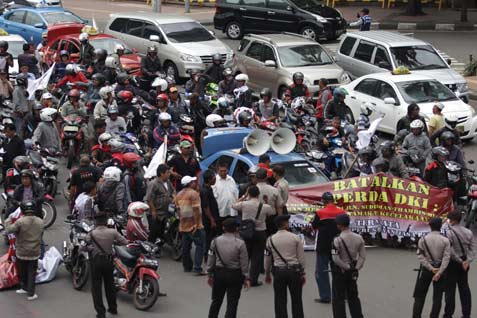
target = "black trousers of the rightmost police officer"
x: 457, y: 277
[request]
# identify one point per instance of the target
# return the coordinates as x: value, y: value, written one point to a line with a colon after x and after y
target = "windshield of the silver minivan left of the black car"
x: 186, y: 32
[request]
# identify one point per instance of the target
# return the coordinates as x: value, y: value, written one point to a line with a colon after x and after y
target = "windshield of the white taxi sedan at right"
x: 425, y: 92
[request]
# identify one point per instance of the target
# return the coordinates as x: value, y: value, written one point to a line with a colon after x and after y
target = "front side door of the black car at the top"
x: 279, y: 18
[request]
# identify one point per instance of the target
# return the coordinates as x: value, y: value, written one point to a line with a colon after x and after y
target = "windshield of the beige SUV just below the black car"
x: 304, y: 55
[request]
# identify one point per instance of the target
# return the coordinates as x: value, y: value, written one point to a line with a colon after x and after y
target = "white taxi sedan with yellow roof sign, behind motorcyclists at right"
x: 391, y: 94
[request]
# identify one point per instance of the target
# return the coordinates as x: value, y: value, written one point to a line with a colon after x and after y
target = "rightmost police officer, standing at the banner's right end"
x: 462, y: 254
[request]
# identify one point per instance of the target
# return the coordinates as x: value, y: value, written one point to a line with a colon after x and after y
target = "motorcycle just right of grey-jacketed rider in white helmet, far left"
x: 72, y: 137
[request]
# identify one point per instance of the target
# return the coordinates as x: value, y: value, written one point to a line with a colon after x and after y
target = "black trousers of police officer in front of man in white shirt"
x: 230, y: 282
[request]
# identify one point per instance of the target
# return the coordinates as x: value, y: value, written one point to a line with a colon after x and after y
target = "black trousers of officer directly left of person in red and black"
x: 291, y: 280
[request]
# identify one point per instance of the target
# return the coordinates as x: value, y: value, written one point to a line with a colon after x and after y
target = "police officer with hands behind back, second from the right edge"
x: 433, y: 251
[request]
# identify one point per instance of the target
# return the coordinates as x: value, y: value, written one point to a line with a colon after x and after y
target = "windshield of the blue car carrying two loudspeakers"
x: 302, y: 174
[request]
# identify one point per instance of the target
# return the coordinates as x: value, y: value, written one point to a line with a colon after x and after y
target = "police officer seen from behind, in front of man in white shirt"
x: 227, y: 266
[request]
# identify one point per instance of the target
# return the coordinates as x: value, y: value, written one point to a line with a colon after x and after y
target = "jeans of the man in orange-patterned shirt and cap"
x: 198, y: 238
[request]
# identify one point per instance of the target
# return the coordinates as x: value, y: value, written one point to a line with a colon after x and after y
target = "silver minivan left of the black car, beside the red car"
x: 182, y: 42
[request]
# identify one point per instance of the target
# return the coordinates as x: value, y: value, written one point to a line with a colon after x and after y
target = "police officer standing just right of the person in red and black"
x: 348, y: 255
